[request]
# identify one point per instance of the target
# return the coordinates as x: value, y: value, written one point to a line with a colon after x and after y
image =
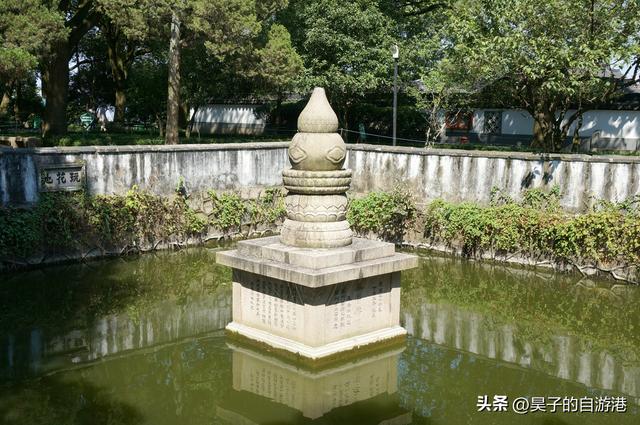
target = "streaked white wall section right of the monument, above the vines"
x: 457, y: 175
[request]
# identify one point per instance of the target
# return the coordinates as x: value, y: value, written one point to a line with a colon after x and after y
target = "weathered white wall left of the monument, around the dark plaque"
x: 157, y: 169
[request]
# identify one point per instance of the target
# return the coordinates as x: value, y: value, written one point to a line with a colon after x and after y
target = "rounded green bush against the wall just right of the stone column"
x: 388, y: 214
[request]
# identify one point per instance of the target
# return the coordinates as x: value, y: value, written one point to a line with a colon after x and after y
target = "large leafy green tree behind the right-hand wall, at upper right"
x: 552, y: 58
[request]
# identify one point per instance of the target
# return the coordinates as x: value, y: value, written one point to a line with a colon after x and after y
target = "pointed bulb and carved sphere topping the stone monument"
x: 317, y: 146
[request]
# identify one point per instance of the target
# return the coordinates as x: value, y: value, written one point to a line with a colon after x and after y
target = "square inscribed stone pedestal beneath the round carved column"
x: 316, y: 303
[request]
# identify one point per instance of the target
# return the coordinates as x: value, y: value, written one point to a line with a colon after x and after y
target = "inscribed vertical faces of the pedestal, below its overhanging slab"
x: 317, y: 316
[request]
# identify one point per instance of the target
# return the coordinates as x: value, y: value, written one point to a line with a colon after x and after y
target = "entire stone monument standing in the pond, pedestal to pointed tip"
x: 316, y: 291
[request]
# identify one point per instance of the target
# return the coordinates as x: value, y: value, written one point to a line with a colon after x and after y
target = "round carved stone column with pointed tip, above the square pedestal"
x: 316, y: 203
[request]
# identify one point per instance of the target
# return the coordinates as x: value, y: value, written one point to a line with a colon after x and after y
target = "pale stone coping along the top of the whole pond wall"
x: 527, y: 156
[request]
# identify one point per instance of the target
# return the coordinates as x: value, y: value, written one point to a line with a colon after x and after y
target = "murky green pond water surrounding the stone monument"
x: 140, y: 341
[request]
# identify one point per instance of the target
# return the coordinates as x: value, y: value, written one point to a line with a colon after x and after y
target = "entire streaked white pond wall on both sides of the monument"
x: 454, y: 175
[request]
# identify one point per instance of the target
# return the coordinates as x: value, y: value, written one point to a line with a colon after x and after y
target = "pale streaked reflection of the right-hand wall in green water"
x: 564, y: 356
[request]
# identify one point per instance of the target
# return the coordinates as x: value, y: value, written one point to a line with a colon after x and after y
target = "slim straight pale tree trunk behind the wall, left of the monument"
x: 173, y: 95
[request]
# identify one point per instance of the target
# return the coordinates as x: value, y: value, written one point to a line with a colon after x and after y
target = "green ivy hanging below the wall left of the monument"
x: 62, y: 223
